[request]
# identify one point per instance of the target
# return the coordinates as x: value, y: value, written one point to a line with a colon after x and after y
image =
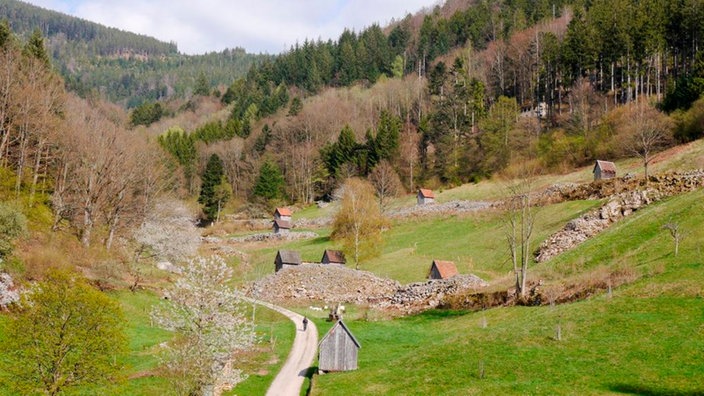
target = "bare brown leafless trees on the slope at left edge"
x: 70, y: 163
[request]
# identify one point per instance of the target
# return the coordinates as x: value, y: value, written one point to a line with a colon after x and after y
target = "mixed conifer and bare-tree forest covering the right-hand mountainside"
x: 471, y: 87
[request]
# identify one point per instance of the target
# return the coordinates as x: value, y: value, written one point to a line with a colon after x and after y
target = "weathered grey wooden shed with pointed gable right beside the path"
x: 338, y: 349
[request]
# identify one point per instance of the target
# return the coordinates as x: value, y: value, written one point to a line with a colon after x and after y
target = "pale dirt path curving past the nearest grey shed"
x: 305, y: 345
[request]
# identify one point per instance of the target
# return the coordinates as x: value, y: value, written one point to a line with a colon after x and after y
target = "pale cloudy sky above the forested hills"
x: 258, y: 26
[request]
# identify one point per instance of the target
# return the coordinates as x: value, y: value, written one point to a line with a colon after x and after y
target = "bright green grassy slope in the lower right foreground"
x: 647, y: 338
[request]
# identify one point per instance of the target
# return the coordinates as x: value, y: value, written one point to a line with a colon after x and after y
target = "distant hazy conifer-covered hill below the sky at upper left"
x: 128, y: 68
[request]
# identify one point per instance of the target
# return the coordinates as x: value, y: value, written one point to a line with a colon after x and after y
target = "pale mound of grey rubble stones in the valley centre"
x: 336, y: 284
